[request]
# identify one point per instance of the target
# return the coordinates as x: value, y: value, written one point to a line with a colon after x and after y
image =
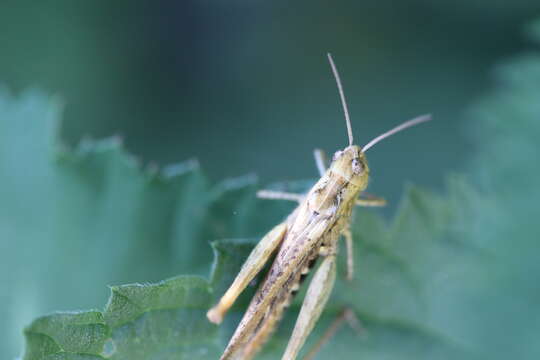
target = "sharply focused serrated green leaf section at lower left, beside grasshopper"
x: 140, y: 321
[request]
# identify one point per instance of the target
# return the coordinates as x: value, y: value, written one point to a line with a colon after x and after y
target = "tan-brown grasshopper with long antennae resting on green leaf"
x: 310, y: 232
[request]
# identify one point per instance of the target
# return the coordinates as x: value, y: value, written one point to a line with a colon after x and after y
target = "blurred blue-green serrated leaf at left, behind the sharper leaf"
x: 74, y: 221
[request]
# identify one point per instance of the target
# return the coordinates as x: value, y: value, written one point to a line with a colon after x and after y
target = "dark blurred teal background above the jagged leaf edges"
x: 245, y: 86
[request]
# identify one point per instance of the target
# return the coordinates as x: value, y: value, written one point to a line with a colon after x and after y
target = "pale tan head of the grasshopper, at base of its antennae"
x: 351, y: 164
